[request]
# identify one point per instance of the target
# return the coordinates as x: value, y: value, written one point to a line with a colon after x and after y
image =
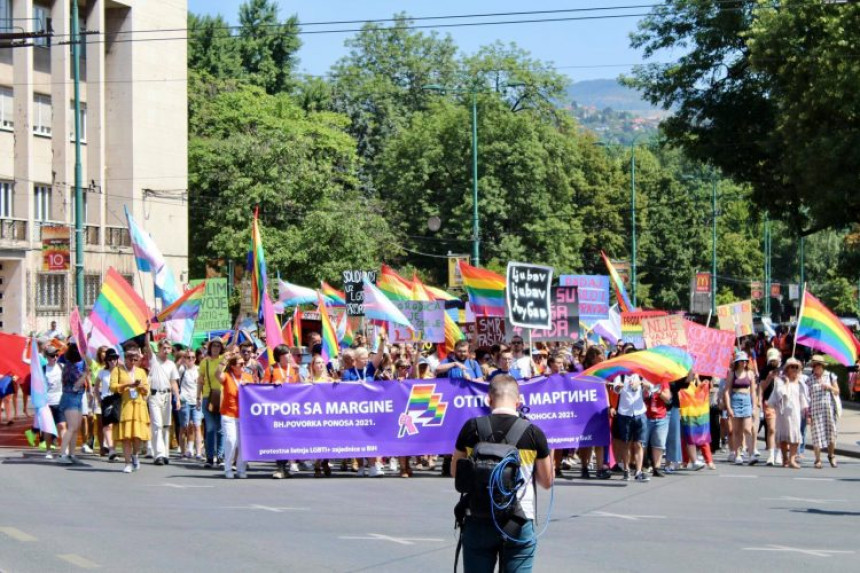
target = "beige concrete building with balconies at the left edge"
x: 134, y: 125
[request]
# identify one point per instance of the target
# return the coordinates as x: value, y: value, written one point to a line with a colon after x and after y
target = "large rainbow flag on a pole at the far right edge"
x: 819, y: 328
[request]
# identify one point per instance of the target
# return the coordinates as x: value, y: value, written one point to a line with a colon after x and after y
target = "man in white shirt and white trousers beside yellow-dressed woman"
x: 163, y: 381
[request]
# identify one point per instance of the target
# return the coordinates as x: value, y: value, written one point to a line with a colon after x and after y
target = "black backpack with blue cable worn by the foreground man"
x: 474, y: 474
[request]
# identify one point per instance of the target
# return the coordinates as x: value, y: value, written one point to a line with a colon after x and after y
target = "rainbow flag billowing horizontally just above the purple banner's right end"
x: 656, y: 365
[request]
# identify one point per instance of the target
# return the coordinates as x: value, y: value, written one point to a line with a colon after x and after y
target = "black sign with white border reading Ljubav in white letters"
x: 527, y: 295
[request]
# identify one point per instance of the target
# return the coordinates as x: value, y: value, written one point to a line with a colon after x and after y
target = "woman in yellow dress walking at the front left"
x: 130, y: 381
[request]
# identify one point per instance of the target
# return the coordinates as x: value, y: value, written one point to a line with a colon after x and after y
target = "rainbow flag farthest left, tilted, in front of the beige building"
x: 119, y: 313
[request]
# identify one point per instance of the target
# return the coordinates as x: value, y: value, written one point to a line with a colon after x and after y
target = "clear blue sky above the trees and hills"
x: 581, y: 50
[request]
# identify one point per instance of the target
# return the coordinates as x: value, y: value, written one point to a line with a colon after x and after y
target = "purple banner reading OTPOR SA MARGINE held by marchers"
x: 414, y: 417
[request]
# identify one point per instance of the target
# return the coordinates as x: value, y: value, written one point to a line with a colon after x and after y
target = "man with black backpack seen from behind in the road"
x: 504, y: 450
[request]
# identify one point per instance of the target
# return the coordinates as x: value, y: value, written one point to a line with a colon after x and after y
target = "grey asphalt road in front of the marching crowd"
x: 183, y: 518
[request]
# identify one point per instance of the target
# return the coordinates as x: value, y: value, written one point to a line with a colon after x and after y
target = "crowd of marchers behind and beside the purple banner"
x: 164, y: 401
